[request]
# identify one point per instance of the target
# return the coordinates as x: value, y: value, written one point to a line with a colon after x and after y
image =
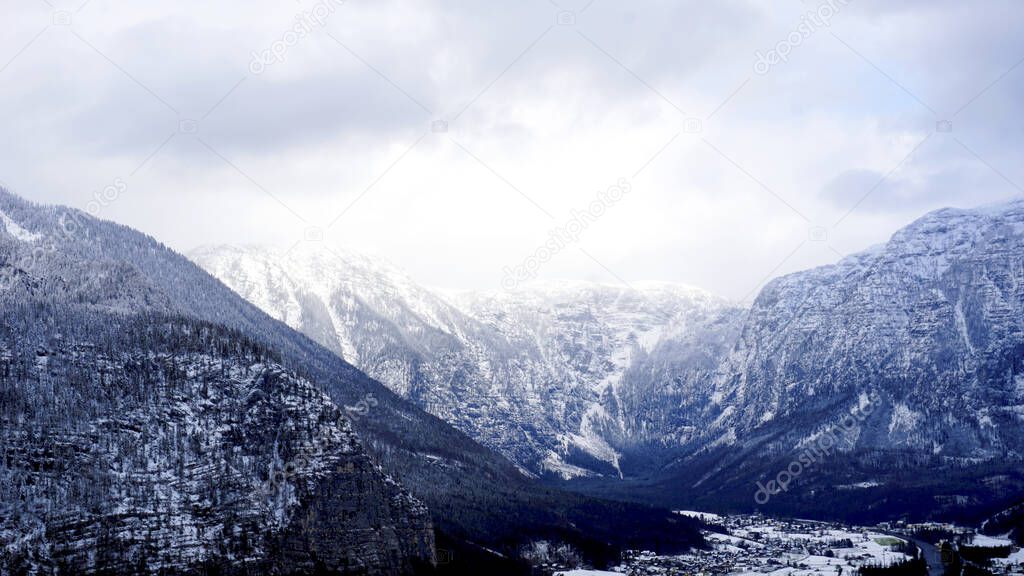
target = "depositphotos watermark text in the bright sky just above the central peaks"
x: 566, y: 235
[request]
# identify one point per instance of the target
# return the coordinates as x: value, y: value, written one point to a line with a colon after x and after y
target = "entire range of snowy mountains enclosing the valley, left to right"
x: 321, y: 410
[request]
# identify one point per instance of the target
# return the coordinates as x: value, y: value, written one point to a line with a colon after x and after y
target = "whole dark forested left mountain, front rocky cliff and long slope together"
x: 221, y: 398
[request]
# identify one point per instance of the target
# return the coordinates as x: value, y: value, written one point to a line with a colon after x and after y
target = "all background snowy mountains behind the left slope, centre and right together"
x: 670, y: 395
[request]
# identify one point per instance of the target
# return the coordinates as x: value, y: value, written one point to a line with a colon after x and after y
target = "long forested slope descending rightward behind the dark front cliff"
x: 473, y: 493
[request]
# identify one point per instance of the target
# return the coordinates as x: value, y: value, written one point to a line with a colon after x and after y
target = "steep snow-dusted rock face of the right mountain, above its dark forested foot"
x: 932, y: 322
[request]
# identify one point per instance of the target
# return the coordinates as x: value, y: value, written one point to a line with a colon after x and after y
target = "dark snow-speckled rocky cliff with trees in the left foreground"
x: 138, y: 445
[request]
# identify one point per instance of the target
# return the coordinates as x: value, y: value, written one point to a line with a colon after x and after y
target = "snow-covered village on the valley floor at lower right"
x: 760, y: 546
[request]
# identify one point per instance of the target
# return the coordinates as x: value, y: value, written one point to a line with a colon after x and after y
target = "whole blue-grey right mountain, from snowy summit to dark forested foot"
x: 906, y: 363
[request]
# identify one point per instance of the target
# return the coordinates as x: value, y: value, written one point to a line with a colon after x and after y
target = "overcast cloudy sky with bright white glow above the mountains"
x: 752, y: 140
